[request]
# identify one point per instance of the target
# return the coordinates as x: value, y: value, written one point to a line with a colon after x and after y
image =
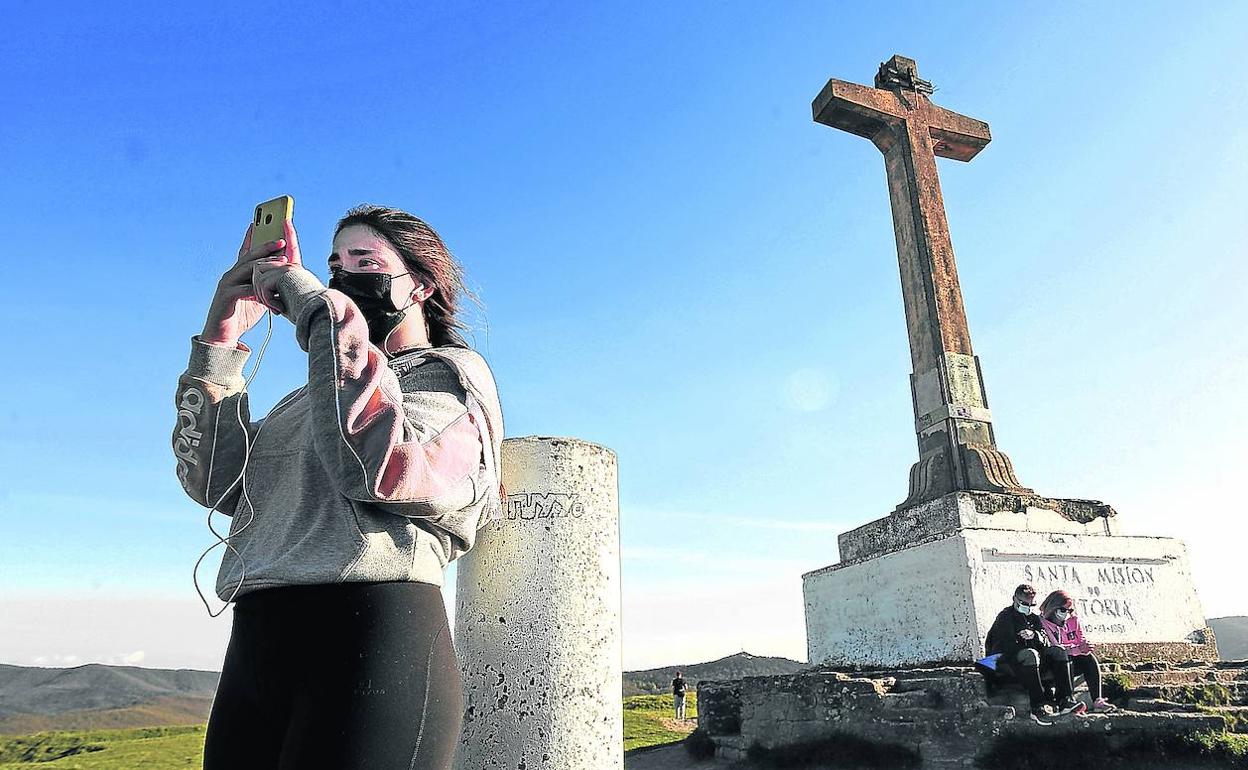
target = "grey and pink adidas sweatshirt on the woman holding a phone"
x: 376, y: 470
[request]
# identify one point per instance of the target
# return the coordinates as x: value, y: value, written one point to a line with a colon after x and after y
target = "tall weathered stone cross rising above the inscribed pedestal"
x: 957, y: 446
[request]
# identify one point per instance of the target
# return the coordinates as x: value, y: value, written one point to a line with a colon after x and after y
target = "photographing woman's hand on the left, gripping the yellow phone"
x: 235, y: 308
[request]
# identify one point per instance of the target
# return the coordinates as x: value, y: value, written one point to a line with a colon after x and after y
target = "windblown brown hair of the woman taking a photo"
x: 429, y: 260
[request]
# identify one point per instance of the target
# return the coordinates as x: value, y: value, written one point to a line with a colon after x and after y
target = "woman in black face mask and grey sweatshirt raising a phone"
x: 349, y: 500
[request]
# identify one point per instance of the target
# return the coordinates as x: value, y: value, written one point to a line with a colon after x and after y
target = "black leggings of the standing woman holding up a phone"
x: 348, y: 677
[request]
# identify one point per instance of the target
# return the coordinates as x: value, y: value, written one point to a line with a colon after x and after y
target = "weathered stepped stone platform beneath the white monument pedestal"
x: 943, y: 716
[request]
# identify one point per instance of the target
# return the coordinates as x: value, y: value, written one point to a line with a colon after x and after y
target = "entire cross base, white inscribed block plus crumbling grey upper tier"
x: 893, y: 602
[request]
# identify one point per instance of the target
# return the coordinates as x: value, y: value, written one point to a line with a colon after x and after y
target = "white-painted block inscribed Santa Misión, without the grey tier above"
x: 935, y: 602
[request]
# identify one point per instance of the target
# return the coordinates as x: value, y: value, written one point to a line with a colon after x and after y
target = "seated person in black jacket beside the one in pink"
x: 1020, y: 640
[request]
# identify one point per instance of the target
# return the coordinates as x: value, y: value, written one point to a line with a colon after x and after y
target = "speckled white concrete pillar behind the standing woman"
x: 539, y: 616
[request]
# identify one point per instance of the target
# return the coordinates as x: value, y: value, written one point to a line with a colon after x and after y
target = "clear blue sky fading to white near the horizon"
x: 676, y: 263
